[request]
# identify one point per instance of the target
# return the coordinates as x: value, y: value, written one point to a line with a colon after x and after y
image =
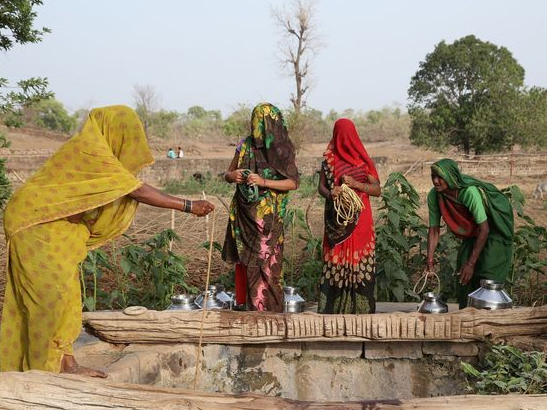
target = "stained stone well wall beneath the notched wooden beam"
x: 320, y: 371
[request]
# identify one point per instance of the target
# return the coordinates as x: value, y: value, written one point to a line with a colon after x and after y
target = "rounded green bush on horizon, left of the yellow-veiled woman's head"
x: 52, y: 115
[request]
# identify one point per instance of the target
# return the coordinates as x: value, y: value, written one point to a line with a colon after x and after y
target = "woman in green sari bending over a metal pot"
x: 476, y: 212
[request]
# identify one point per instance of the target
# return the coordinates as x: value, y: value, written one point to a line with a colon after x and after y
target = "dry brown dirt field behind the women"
x: 195, y: 231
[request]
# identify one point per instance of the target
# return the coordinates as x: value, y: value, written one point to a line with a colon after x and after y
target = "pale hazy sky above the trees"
x: 218, y: 53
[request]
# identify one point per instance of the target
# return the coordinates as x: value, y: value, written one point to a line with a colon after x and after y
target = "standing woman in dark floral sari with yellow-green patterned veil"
x: 264, y: 168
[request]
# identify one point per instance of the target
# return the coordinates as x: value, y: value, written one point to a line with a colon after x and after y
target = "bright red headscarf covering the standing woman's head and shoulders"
x: 346, y: 146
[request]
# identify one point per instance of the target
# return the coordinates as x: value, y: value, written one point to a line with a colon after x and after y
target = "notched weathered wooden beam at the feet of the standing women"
x: 229, y: 327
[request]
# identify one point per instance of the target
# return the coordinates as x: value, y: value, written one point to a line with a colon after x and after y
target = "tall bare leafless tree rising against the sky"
x: 300, y: 42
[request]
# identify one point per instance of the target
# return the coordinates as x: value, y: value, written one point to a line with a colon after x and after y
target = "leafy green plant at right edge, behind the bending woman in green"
x: 527, y: 285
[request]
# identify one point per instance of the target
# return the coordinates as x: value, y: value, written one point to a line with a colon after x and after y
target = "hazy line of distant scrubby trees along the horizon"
x: 199, y: 124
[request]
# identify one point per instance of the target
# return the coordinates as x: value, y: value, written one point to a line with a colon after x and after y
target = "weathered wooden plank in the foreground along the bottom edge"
x: 34, y: 389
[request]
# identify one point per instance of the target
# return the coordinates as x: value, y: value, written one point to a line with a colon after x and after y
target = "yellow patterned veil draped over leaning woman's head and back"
x: 96, y: 168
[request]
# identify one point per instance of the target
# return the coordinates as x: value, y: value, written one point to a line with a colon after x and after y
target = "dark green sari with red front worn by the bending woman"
x: 495, y: 258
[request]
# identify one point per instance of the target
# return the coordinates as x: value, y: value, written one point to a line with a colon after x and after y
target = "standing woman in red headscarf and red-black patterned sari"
x: 347, y: 283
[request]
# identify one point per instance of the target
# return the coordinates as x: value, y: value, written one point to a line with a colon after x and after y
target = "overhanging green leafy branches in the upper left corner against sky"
x: 16, y: 27
